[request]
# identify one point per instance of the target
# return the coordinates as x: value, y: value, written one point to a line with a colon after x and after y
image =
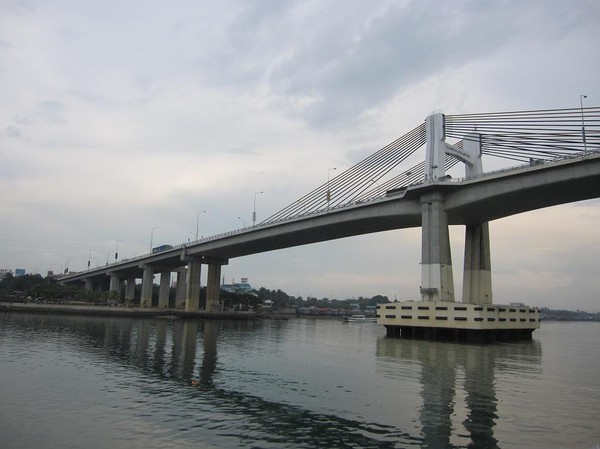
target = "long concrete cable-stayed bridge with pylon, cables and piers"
x: 558, y: 157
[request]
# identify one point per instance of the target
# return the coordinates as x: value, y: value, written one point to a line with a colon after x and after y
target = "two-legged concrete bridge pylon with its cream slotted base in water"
x: 438, y: 315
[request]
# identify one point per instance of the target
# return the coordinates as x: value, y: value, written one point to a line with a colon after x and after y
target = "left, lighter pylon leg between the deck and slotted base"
x: 437, y: 283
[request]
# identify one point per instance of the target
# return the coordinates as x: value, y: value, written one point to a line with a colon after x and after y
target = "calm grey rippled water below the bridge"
x: 72, y: 382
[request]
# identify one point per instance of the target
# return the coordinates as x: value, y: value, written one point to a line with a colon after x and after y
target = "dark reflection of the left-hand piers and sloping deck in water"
x: 184, y: 350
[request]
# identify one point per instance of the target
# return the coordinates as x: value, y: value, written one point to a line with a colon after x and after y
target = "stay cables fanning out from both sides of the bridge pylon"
x: 524, y: 136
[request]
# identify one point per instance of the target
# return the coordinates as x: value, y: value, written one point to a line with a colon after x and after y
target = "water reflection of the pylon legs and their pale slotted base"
x: 442, y: 365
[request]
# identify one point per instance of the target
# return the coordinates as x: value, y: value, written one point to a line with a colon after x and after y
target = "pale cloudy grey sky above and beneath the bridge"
x: 121, y: 122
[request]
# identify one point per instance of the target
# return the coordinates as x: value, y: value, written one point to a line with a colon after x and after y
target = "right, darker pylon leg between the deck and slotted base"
x: 477, y: 280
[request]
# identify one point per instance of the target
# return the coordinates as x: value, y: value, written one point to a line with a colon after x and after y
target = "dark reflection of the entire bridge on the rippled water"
x: 182, y: 351
